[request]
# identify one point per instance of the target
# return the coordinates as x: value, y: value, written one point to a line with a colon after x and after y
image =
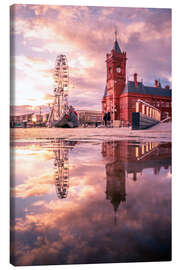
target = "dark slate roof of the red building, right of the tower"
x: 146, y: 90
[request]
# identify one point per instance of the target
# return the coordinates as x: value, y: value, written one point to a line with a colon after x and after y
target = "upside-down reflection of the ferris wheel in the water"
x: 61, y: 166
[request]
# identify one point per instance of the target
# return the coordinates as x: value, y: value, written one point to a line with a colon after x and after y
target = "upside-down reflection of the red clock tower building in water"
x: 126, y: 157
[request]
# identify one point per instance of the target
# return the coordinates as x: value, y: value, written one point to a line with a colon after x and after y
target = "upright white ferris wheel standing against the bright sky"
x: 61, y: 84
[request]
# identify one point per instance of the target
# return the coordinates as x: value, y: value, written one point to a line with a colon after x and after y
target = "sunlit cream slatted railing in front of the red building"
x: 148, y: 110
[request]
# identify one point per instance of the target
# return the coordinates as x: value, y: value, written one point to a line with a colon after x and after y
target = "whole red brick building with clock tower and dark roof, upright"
x: 120, y: 97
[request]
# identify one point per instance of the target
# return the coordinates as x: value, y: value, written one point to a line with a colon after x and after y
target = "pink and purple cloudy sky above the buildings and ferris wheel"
x: 85, y: 34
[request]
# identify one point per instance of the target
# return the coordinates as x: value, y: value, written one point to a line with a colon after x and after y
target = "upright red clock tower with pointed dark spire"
x: 116, y: 79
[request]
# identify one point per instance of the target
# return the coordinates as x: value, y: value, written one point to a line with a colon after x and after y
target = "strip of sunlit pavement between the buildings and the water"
x: 161, y: 132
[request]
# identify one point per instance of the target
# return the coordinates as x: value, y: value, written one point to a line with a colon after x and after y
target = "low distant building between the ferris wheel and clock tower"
x: 89, y: 117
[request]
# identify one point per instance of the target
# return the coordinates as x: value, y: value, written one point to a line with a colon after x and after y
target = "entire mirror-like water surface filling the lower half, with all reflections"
x: 116, y: 203
